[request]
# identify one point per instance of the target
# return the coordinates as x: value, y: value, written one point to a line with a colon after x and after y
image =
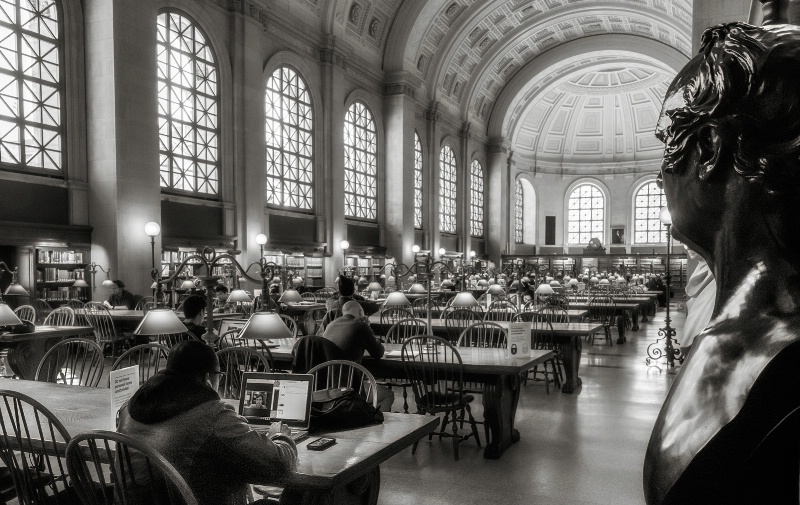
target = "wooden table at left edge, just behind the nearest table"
x: 26, y: 350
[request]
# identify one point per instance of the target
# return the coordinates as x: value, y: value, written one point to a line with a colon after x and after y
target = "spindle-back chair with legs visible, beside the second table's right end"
x: 437, y: 382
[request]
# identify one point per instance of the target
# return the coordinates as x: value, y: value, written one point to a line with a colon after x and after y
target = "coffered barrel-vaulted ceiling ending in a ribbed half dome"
x: 567, y: 83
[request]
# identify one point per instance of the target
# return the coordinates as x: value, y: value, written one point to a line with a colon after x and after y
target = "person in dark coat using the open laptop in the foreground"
x: 180, y: 414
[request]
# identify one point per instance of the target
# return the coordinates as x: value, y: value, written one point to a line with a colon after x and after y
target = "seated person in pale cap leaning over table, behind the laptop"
x: 352, y: 334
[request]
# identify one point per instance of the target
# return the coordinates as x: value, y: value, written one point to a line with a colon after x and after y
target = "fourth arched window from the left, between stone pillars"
x: 360, y: 163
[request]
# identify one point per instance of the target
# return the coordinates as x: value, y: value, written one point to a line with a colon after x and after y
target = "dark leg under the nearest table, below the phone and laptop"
x: 361, y: 491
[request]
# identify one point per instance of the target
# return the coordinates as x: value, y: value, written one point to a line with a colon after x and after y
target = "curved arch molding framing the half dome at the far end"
x: 624, y: 46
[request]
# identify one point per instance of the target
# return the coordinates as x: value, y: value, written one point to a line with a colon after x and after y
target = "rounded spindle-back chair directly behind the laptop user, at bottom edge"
x: 137, y: 474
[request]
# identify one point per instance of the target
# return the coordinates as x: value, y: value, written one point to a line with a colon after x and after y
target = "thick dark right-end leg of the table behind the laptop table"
x: 500, y: 400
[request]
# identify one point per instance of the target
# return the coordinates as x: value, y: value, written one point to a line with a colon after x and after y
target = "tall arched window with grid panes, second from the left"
x: 188, y: 110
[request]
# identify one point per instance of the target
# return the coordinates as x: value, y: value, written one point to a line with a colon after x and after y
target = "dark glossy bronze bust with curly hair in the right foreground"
x: 729, y: 430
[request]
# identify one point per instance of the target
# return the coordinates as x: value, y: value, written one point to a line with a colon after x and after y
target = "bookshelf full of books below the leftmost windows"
x: 56, y: 270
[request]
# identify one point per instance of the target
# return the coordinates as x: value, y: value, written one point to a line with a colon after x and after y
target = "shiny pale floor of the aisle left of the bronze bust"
x: 579, y: 449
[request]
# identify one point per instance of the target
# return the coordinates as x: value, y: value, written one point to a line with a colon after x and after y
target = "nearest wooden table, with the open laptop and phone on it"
x: 347, y: 472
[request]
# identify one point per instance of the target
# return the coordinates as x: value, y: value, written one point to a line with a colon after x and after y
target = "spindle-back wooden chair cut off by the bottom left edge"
x: 28, y: 430
